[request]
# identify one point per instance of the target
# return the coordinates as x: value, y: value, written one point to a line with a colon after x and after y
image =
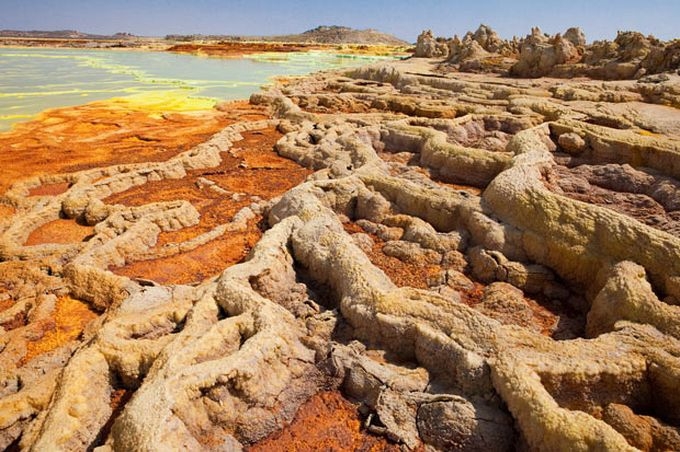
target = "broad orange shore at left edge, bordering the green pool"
x: 105, y: 133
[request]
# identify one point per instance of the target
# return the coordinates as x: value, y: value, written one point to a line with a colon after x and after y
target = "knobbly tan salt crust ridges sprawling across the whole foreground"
x: 476, y: 174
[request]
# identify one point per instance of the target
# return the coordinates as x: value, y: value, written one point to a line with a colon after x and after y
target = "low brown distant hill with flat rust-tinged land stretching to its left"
x: 320, y: 35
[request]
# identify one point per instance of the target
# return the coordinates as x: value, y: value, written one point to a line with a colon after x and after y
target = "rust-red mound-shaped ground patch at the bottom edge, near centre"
x: 327, y: 422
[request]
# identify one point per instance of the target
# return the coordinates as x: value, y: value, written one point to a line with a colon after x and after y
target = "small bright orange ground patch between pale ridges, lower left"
x: 70, y: 318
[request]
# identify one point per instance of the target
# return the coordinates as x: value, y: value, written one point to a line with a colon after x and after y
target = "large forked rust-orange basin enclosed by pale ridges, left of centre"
x: 250, y: 168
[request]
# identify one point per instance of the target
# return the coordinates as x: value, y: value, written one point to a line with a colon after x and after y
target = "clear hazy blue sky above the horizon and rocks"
x: 403, y: 18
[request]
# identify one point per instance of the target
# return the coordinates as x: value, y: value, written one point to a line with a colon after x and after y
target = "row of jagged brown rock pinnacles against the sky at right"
x: 631, y: 55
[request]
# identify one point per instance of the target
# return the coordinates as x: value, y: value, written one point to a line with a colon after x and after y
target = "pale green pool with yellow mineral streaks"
x: 32, y: 80
